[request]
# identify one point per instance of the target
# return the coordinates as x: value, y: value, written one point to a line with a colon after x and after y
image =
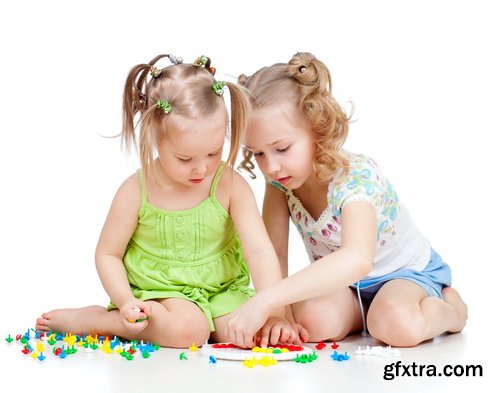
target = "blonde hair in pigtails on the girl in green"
x: 188, y: 89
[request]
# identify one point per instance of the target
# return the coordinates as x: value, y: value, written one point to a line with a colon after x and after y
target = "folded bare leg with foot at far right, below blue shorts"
x: 403, y: 315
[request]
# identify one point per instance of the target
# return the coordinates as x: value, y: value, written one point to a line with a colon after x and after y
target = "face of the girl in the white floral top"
x: 282, y: 145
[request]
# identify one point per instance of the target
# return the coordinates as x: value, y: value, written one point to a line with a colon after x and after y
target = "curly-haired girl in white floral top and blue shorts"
x: 372, y: 269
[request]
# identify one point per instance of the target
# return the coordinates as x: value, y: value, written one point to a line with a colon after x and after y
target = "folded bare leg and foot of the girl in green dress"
x: 173, y: 323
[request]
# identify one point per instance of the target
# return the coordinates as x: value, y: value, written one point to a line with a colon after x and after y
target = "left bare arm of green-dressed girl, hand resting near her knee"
x: 115, y: 235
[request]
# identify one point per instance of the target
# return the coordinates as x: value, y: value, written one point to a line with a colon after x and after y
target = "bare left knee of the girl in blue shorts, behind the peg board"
x: 330, y: 317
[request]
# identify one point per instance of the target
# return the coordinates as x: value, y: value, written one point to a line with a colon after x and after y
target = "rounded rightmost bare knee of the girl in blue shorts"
x: 394, y: 324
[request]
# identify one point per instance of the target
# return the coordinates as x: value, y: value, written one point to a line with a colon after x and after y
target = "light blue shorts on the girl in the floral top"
x: 435, y: 276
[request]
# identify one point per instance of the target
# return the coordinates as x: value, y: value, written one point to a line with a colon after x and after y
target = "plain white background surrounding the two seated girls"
x: 422, y: 75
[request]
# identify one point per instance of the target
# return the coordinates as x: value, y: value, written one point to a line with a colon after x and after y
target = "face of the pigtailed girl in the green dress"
x: 191, y: 153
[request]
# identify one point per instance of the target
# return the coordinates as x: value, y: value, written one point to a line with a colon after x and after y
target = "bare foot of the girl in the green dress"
x: 71, y: 320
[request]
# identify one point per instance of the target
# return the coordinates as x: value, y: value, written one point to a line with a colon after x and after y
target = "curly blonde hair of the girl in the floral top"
x: 304, y: 82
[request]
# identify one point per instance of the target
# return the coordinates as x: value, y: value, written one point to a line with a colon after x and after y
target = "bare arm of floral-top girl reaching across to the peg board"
x: 337, y: 270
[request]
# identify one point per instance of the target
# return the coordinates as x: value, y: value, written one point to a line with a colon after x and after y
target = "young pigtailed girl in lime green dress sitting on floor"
x: 183, y: 233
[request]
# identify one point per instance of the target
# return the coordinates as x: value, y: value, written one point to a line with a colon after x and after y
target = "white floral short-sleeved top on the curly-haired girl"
x: 399, y: 243
